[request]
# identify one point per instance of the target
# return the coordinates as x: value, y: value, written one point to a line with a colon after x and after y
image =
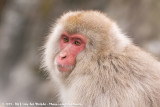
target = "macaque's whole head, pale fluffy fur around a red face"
x: 79, y: 38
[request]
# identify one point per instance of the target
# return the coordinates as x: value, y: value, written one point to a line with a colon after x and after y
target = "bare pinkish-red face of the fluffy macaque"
x: 70, y: 47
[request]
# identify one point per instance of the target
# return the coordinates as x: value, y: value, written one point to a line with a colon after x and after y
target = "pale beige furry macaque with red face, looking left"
x: 96, y: 65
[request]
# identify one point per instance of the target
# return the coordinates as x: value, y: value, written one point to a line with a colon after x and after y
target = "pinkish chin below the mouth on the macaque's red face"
x: 64, y: 68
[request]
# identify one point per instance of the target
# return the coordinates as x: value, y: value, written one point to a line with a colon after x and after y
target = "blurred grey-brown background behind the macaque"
x: 25, y: 23
